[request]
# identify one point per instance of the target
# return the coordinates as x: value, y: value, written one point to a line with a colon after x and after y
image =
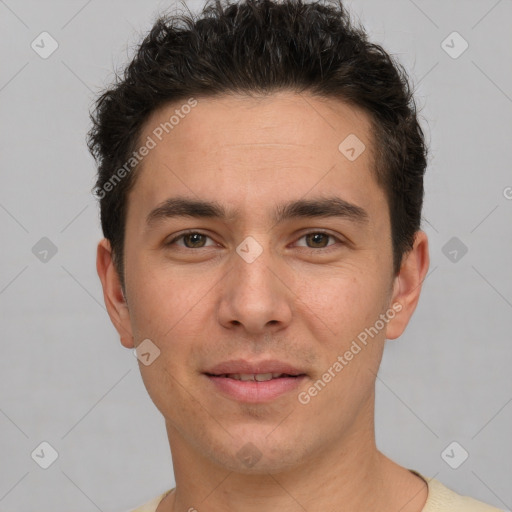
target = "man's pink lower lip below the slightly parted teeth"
x: 253, y: 391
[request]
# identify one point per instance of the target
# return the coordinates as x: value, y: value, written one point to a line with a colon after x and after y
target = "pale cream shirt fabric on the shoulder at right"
x: 442, y: 499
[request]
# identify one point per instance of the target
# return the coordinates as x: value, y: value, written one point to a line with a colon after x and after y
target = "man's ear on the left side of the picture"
x: 112, y: 293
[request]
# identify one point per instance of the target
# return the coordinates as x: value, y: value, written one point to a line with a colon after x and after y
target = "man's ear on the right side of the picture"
x: 407, y: 285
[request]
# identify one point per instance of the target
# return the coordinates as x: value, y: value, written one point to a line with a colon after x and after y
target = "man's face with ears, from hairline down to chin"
x: 287, y: 270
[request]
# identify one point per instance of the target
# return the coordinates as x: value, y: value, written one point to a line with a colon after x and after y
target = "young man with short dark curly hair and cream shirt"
x: 260, y: 176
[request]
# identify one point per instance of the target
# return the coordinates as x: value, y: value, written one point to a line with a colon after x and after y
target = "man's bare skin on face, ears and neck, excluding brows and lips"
x: 302, y: 301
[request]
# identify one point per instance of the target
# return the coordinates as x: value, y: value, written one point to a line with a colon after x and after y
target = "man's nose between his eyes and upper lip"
x: 256, y: 297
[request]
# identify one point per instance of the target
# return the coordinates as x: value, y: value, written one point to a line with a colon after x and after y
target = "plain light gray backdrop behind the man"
x: 66, y: 379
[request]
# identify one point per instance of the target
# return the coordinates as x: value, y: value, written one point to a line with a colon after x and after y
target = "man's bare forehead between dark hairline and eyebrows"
x: 240, y: 149
